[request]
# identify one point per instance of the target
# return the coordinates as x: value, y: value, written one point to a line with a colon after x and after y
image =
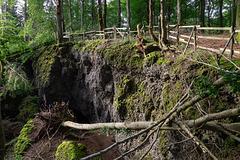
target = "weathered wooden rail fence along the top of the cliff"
x: 174, y: 33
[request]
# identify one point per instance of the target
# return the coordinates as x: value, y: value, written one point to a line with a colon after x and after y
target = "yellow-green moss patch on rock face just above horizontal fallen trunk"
x: 132, y: 98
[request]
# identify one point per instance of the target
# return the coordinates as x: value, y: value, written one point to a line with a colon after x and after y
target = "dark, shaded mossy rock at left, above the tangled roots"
x: 28, y: 108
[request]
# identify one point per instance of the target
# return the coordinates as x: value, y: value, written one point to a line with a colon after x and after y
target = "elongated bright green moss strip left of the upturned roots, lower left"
x: 23, y: 142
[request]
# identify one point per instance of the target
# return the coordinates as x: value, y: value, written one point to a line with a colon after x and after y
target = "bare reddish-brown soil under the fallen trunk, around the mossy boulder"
x: 46, y: 141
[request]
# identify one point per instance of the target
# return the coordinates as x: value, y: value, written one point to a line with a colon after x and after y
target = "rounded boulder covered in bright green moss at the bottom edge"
x: 70, y: 150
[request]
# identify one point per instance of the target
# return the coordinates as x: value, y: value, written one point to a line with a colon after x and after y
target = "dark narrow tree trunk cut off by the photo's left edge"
x: 2, y: 135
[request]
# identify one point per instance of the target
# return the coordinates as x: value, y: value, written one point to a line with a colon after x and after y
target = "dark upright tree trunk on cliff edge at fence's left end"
x: 59, y: 24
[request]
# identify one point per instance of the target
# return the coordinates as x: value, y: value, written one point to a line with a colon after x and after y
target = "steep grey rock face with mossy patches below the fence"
x: 113, y: 81
